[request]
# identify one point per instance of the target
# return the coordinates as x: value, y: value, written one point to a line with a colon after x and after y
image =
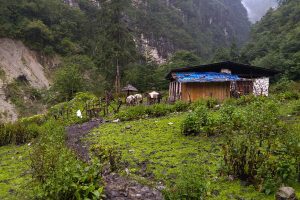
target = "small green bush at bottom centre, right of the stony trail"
x: 191, y: 184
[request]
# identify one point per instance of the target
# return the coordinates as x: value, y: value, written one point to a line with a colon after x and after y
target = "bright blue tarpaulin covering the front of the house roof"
x: 187, y: 77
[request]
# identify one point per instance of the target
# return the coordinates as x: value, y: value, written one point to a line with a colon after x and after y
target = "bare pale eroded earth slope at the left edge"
x: 17, y: 62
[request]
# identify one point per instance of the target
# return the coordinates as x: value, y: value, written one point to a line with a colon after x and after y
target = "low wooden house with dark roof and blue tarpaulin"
x: 218, y: 80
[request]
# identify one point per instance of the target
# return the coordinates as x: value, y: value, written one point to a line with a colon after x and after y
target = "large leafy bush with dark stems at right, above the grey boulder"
x: 255, y: 150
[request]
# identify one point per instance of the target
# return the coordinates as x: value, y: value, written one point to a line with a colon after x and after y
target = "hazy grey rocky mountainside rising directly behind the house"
x: 200, y: 26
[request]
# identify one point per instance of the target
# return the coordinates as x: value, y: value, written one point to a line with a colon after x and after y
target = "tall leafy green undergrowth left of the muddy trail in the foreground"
x: 57, y: 172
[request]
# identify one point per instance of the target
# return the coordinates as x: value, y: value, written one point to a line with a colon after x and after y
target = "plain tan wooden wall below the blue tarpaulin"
x: 196, y: 91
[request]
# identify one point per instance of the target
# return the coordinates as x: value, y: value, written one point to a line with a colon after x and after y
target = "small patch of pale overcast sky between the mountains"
x: 258, y: 8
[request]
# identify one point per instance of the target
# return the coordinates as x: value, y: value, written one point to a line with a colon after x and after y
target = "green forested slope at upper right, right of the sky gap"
x: 275, y: 40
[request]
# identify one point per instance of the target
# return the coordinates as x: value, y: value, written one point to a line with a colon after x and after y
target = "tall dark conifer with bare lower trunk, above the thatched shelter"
x: 116, y: 45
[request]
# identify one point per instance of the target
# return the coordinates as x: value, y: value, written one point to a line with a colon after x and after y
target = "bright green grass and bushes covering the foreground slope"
x: 244, y: 148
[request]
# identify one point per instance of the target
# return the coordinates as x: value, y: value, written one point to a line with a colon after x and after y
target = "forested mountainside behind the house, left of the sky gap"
x: 92, y: 38
